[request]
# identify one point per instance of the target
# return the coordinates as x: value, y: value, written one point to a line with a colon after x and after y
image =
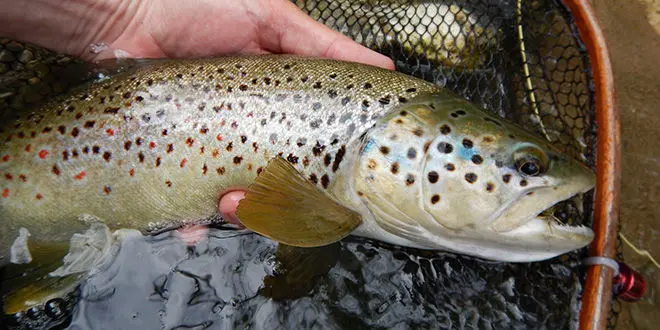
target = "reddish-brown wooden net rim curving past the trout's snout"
x: 597, y: 295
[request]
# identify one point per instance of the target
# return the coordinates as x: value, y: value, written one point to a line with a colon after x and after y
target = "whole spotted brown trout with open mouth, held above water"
x: 324, y: 148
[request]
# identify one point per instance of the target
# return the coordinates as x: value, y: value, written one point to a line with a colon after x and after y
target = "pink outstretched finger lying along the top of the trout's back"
x: 300, y: 34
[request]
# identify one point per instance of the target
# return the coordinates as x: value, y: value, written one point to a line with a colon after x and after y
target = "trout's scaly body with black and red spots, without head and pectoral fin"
x: 152, y: 148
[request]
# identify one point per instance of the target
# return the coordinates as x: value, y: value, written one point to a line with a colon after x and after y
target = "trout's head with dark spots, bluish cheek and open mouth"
x: 443, y: 174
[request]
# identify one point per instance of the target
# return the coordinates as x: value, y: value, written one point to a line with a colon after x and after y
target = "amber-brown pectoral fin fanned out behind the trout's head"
x: 284, y: 206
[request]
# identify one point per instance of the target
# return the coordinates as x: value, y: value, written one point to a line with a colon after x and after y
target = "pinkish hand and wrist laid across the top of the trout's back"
x: 176, y: 29
